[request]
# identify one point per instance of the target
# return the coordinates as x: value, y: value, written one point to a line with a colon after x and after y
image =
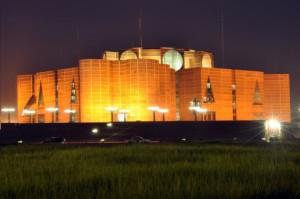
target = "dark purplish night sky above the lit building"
x: 40, y: 35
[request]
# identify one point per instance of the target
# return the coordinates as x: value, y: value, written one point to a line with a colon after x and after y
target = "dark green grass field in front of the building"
x: 150, y: 171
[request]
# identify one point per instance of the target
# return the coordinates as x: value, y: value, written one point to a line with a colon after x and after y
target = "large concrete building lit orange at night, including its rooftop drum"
x: 123, y: 85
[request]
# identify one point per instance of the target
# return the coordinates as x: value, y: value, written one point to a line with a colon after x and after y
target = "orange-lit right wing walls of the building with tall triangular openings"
x: 257, y: 95
